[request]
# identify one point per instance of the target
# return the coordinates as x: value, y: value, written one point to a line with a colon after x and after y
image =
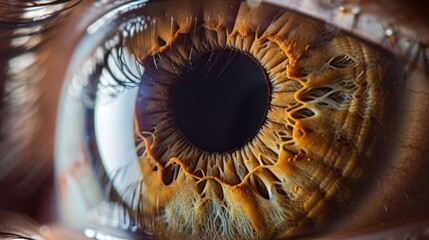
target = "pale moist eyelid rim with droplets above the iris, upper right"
x: 367, y: 23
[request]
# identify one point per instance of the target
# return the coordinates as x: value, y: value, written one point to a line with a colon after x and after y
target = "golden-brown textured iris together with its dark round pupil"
x: 251, y: 122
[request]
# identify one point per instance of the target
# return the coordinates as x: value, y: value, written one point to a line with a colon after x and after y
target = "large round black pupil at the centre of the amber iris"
x: 221, y: 100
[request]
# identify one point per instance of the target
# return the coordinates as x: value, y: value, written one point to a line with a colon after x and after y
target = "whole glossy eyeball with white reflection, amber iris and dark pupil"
x: 133, y: 156
